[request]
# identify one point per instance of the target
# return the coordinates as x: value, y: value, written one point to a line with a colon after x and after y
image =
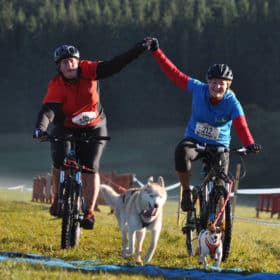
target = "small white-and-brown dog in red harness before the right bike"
x: 210, y: 243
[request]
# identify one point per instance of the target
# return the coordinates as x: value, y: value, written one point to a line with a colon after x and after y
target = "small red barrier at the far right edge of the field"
x: 268, y: 203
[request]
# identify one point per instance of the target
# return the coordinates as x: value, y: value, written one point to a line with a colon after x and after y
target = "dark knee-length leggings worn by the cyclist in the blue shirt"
x: 184, y: 156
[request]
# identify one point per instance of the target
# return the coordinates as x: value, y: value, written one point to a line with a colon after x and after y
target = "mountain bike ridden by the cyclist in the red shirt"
x: 71, y: 204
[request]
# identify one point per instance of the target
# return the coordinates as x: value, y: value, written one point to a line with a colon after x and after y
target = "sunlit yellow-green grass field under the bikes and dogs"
x: 27, y: 227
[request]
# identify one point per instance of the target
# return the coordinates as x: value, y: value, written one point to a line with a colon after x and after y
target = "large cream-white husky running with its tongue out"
x: 138, y: 210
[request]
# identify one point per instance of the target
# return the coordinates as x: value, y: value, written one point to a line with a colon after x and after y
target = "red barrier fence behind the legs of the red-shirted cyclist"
x: 42, y: 185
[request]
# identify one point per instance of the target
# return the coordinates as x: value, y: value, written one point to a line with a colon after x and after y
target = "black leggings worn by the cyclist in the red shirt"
x: 88, y: 154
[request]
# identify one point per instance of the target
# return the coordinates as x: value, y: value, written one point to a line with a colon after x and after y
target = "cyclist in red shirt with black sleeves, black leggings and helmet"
x: 72, y: 104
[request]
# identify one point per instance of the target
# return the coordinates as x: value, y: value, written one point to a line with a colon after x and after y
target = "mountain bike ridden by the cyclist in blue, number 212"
x: 211, y: 203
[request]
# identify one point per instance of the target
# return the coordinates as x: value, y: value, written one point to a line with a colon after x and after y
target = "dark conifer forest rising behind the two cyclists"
x: 194, y: 33
